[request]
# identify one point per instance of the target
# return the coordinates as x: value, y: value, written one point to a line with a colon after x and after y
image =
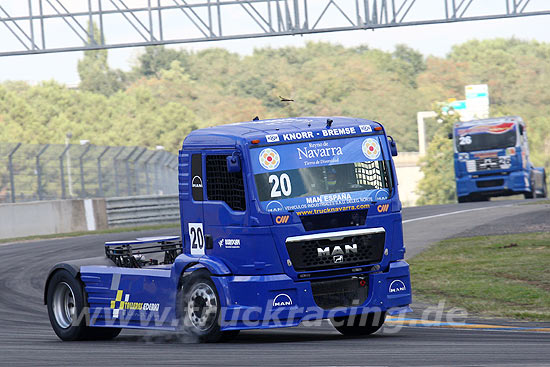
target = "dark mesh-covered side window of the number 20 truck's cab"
x: 223, y: 185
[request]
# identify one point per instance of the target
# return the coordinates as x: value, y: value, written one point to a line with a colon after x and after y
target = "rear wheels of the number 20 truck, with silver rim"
x: 68, y: 312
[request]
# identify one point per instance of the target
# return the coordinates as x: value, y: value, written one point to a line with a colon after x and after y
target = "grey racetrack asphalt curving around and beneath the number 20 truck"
x: 26, y: 337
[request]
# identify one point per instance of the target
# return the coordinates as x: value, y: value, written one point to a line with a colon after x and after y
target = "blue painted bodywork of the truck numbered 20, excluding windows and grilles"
x: 250, y: 276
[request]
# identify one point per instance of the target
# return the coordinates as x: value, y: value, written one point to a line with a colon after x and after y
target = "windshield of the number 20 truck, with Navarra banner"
x: 321, y: 174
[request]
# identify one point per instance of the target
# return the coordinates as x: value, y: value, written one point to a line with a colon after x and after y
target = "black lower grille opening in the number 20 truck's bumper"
x: 334, y: 293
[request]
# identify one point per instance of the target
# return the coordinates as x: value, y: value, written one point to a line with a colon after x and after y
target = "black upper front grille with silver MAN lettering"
x: 325, y: 253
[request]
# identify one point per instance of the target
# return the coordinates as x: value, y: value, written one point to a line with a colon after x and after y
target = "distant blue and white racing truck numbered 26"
x: 492, y: 159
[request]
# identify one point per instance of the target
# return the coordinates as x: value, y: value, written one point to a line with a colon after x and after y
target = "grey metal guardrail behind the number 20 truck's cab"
x: 142, y: 210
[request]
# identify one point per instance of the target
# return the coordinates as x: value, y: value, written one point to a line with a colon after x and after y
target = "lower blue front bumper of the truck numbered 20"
x: 270, y: 301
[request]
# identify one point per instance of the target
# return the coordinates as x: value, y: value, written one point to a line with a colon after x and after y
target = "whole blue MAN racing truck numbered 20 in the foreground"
x: 282, y: 221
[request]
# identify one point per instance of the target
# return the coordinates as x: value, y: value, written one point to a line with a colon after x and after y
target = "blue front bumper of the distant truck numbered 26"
x: 503, y: 183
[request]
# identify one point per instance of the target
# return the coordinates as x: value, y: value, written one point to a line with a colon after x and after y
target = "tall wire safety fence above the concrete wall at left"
x: 30, y: 172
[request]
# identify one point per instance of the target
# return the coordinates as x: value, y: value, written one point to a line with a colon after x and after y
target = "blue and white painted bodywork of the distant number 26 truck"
x: 520, y: 177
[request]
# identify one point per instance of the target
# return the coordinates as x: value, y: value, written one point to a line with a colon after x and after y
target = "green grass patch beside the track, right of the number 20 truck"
x: 503, y: 276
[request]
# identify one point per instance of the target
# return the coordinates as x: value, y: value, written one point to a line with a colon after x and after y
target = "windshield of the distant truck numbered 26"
x: 497, y: 135
